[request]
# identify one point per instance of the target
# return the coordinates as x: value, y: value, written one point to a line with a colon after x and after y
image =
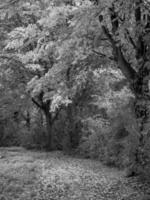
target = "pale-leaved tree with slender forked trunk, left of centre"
x: 33, y: 46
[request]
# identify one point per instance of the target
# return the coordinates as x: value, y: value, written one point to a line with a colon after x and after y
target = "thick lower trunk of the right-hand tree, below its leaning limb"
x: 142, y: 113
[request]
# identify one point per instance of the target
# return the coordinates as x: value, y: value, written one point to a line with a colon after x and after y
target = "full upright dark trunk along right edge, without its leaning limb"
x: 141, y: 90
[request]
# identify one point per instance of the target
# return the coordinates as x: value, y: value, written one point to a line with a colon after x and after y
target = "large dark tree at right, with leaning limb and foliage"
x: 125, y: 25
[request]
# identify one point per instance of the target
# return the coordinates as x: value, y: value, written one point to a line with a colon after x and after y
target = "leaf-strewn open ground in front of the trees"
x: 31, y: 175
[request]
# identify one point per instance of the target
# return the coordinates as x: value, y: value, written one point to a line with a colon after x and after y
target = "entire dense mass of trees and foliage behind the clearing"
x: 75, y: 76
